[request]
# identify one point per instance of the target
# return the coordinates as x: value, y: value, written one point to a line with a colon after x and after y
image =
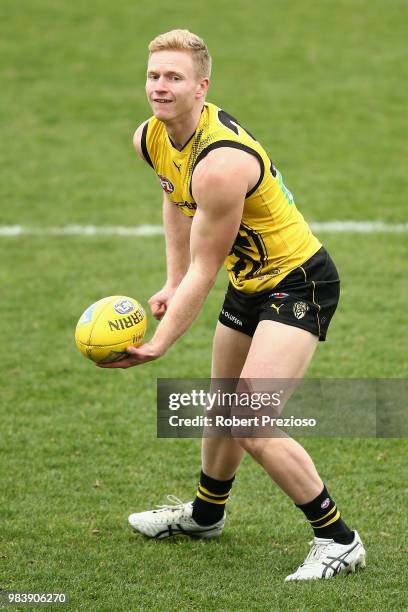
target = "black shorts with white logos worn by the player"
x: 307, y: 298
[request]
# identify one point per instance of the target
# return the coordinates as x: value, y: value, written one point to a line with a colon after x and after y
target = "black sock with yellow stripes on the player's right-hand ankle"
x: 325, y: 520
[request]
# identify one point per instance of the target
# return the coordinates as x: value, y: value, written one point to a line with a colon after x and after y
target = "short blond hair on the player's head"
x: 183, y: 40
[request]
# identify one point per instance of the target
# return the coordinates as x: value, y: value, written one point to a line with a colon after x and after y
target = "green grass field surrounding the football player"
x: 321, y: 88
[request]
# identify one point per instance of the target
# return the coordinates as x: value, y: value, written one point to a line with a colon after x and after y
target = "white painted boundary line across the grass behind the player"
x: 332, y: 227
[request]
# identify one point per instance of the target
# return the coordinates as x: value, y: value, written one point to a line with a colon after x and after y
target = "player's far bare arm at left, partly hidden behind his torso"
x: 177, y: 228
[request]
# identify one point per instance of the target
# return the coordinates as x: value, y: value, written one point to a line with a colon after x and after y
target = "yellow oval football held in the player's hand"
x: 107, y: 327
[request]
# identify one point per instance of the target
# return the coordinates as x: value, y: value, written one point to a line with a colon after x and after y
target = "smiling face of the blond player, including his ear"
x: 172, y: 87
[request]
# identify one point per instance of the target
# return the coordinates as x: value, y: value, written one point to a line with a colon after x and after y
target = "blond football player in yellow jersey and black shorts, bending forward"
x: 225, y: 201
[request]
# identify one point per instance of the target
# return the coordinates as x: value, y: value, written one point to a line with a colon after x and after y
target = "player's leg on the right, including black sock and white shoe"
x: 280, y: 351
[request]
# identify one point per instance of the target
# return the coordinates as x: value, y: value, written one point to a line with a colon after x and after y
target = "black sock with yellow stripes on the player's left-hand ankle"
x: 211, y: 497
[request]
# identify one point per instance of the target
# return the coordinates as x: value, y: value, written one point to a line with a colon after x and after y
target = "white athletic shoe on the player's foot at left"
x: 173, y: 519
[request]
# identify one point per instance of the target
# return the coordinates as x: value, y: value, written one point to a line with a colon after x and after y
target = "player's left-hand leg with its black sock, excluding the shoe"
x: 220, y: 456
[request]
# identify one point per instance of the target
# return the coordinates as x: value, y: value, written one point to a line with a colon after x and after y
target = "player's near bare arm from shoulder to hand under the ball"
x: 220, y: 183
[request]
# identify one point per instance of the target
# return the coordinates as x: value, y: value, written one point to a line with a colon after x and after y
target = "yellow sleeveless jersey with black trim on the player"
x: 273, y: 237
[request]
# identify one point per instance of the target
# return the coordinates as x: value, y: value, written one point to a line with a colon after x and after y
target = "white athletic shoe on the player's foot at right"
x: 327, y: 558
